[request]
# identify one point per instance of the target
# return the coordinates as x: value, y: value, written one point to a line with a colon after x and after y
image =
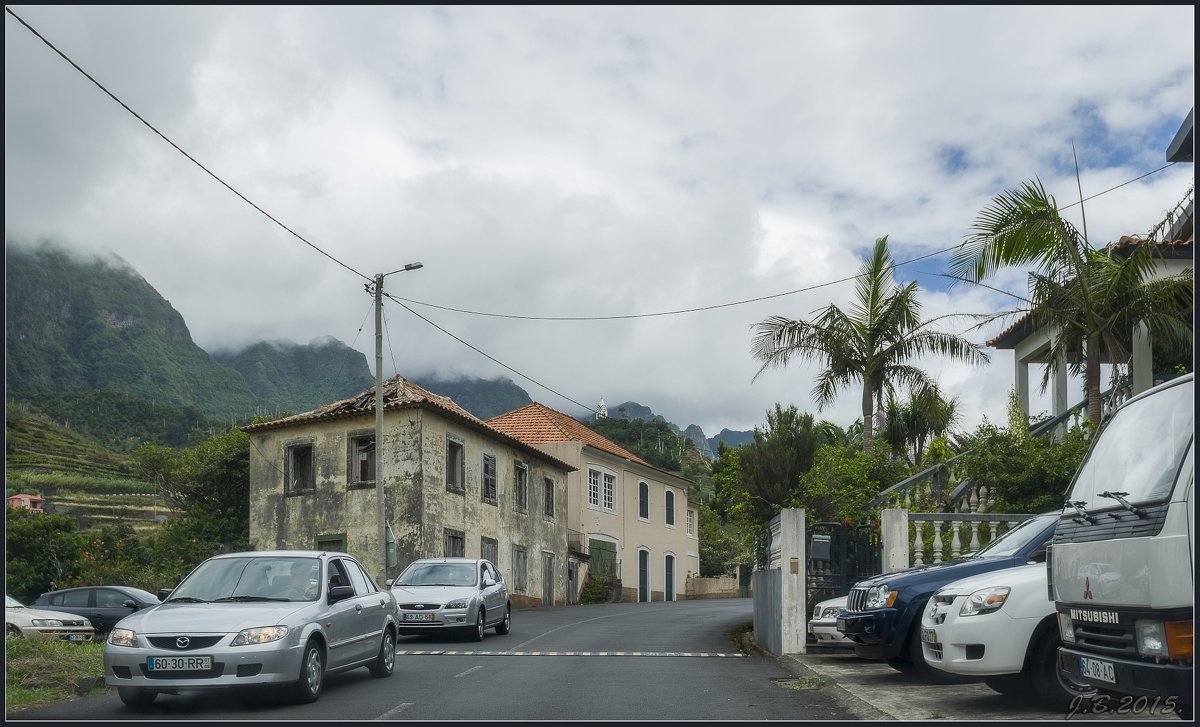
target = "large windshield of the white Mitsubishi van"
x: 1139, y: 450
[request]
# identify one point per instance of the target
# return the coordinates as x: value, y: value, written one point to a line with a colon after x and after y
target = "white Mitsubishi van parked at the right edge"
x: 1121, y: 563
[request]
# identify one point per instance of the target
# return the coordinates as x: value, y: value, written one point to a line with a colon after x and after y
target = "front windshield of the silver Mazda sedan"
x: 251, y: 579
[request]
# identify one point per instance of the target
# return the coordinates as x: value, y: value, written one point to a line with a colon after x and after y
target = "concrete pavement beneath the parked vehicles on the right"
x: 872, y: 690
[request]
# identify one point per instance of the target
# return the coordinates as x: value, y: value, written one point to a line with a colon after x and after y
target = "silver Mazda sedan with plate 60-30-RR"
x: 263, y: 618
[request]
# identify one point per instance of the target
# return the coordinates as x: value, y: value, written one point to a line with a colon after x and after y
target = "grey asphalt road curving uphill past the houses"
x: 617, y: 662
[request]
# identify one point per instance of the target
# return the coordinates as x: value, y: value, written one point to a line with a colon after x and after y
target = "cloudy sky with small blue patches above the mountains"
x: 583, y: 163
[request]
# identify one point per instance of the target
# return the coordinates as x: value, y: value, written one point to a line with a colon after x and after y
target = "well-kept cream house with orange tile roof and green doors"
x: 632, y: 524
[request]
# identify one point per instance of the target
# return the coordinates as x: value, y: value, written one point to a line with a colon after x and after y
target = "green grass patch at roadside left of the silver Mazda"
x: 46, y: 672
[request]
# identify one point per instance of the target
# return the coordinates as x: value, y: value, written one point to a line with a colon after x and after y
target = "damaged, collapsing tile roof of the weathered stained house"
x: 400, y: 394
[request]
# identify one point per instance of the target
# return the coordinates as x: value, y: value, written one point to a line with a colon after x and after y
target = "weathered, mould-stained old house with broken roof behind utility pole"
x: 453, y: 485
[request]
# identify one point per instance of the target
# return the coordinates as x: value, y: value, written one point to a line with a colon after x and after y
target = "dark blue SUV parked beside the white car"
x: 884, y: 614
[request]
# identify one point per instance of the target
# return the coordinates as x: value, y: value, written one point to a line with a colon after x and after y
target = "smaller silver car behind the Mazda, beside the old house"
x: 467, y: 596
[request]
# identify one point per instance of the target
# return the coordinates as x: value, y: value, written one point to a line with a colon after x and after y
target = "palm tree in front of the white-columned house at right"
x: 1094, y: 298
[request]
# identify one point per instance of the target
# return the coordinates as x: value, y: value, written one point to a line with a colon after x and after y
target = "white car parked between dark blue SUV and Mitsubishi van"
x: 1001, y: 626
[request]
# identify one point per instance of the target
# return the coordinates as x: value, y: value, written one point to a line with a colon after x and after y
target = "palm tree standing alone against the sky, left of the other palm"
x: 872, y: 343
